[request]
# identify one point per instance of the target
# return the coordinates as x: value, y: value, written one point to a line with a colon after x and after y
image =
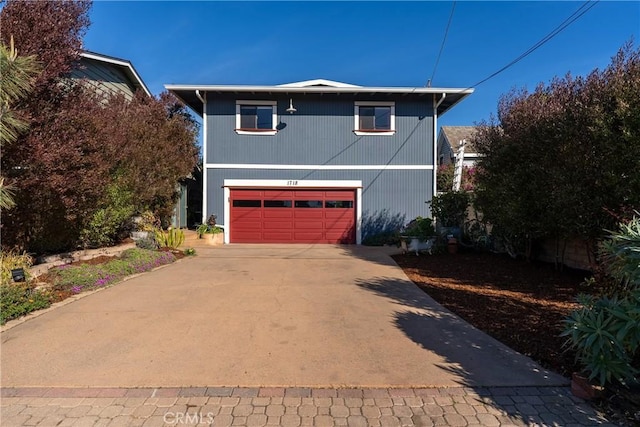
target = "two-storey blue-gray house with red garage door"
x: 316, y: 161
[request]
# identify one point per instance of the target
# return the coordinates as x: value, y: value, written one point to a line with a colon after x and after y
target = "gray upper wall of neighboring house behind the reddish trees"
x: 104, y: 78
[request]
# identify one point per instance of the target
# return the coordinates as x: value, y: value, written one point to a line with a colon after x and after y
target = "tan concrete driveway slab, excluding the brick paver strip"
x: 267, y: 315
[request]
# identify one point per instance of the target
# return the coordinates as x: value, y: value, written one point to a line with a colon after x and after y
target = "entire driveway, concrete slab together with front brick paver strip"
x: 280, y: 335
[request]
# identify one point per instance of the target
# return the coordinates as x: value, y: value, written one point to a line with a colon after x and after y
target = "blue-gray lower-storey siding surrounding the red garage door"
x: 392, y: 195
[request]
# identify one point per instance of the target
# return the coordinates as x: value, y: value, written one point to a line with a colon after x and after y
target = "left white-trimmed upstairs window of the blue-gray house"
x: 256, y: 117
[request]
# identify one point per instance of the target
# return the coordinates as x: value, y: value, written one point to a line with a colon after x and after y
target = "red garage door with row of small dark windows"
x: 292, y: 216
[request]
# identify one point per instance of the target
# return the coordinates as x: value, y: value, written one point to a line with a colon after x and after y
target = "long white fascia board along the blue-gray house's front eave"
x: 319, y: 89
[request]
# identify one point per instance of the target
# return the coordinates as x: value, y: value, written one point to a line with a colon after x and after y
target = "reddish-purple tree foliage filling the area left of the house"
x: 88, y: 158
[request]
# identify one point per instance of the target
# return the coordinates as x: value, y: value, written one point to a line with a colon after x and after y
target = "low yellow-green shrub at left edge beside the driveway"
x: 18, y: 299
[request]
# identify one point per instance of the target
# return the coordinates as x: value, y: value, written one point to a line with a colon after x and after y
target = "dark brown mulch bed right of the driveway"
x: 522, y: 304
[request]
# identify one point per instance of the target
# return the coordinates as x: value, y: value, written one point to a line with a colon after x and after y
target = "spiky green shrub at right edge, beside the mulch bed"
x: 605, y: 331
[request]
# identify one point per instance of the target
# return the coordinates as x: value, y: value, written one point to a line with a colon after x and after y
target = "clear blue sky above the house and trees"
x: 365, y: 43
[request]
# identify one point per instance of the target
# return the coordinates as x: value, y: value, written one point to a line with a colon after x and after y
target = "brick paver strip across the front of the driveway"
x: 296, y: 406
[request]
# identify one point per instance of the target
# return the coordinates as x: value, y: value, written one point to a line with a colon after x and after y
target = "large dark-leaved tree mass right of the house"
x: 562, y: 161
